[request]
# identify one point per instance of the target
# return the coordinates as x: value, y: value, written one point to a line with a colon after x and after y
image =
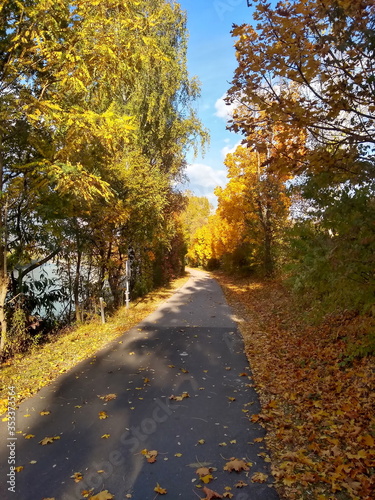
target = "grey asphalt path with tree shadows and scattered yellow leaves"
x: 189, y: 345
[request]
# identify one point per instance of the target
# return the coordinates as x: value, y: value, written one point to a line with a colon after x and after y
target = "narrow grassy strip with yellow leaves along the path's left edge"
x: 43, y: 364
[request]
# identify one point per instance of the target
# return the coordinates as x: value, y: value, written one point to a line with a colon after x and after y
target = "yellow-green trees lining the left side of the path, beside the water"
x: 96, y: 117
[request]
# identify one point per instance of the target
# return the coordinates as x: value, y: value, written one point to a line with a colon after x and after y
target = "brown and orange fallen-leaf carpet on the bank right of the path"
x: 317, y: 399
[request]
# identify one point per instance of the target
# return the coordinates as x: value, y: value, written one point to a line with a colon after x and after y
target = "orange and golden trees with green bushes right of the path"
x: 300, y: 201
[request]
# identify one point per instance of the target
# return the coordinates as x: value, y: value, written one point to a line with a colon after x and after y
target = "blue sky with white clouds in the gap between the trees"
x: 211, y: 57
